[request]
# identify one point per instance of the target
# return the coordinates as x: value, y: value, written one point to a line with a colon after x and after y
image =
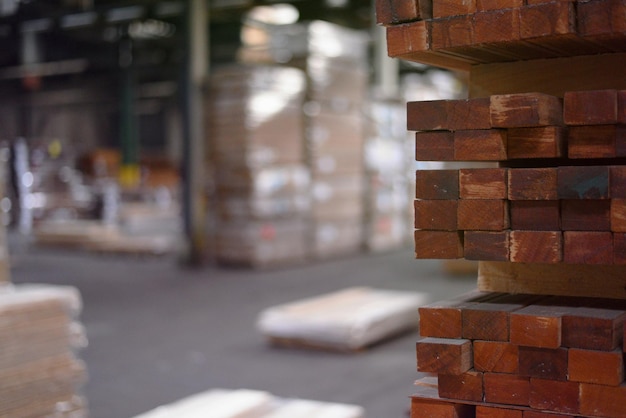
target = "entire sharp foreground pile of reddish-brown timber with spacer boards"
x: 545, y: 220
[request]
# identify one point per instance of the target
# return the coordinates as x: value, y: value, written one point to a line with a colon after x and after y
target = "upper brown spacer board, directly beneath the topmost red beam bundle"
x: 553, y: 76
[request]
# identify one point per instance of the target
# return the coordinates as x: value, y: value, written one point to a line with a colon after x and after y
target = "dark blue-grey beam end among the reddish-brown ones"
x: 583, y: 182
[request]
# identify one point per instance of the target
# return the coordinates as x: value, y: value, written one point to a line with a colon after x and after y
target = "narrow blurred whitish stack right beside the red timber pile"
x: 388, y: 213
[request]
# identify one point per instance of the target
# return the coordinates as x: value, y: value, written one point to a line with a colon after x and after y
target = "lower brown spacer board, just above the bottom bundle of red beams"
x: 552, y: 279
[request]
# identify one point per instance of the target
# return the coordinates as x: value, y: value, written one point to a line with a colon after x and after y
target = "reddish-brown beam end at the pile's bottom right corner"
x: 602, y: 401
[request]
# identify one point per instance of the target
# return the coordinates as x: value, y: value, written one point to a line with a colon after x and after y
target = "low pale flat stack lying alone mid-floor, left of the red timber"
x: 352, y: 318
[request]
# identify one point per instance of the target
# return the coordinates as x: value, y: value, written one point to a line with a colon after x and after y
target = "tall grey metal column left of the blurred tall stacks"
x: 195, y: 73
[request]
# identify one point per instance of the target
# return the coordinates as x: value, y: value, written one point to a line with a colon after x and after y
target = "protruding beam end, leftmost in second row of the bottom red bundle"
x: 444, y: 356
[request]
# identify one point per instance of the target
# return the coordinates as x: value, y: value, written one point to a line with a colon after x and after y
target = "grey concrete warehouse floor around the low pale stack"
x: 159, y: 332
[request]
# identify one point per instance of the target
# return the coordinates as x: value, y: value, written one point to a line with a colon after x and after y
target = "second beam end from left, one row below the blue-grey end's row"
x: 483, y: 215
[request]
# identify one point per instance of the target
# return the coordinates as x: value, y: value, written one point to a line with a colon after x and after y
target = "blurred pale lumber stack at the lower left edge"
x: 40, y: 334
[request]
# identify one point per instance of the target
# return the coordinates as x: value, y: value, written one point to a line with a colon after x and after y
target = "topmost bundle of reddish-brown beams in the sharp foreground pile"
x: 460, y: 34
